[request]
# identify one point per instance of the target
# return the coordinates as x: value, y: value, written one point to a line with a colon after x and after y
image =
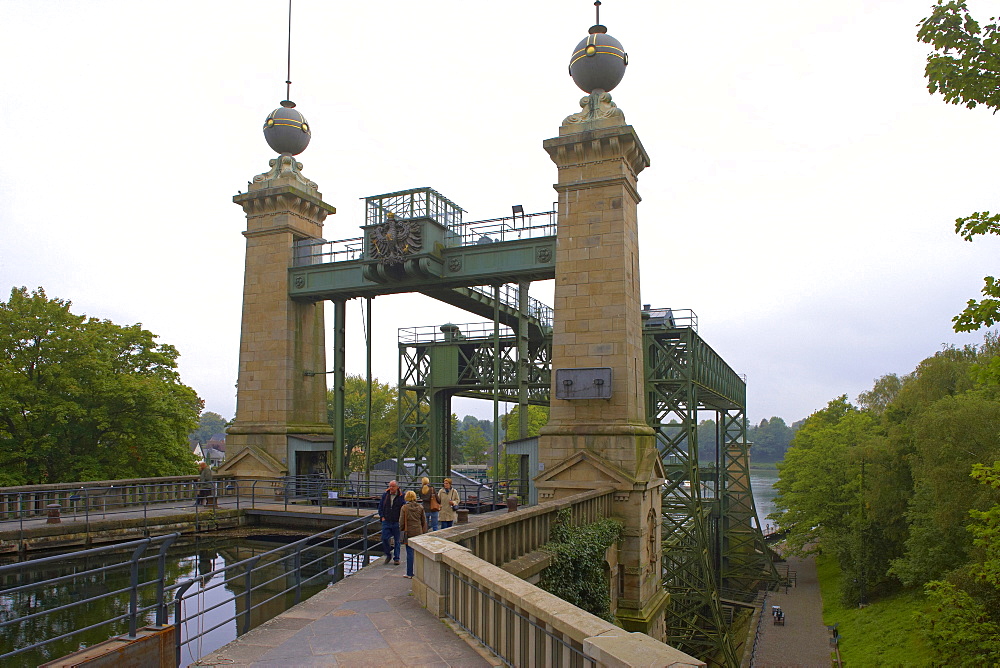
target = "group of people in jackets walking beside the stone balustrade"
x: 412, y: 514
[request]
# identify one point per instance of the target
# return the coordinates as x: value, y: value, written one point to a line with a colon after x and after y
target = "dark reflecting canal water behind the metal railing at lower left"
x: 194, y: 559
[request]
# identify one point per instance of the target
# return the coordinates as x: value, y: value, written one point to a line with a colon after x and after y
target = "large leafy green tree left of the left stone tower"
x: 85, y: 399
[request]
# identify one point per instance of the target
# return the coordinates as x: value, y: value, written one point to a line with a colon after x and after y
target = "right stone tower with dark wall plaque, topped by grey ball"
x: 597, y: 433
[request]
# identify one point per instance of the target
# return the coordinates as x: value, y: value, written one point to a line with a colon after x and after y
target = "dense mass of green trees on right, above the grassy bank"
x: 885, y: 486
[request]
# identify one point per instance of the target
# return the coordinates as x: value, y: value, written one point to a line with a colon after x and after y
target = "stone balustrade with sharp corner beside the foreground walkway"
x: 459, y: 577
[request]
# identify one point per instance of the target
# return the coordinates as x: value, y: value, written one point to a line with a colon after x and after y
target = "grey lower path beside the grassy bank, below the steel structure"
x: 804, y: 641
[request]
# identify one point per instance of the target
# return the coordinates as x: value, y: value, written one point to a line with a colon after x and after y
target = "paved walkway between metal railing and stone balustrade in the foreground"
x: 367, y: 619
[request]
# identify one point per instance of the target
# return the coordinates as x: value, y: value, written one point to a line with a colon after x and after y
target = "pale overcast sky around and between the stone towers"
x: 801, y: 196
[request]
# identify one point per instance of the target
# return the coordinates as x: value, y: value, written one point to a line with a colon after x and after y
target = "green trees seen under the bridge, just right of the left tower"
x: 384, y: 420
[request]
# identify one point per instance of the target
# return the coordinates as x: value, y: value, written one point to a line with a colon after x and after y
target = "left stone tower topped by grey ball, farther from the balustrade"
x: 280, y: 426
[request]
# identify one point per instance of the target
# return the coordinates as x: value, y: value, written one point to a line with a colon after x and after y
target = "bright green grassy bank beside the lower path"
x: 881, y: 634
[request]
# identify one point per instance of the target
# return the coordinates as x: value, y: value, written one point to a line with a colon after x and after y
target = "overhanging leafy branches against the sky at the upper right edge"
x: 964, y: 67
